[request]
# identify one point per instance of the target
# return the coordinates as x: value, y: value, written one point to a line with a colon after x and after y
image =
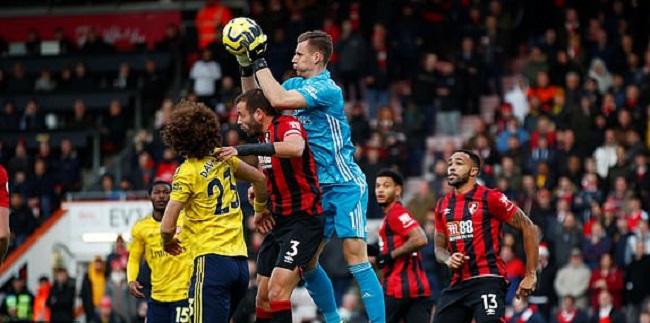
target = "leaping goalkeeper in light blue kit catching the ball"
x: 318, y: 103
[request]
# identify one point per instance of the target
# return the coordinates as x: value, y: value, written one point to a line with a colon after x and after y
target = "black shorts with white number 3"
x: 292, y: 243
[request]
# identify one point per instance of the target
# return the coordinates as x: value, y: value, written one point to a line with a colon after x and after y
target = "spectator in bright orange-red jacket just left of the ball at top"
x: 210, y: 21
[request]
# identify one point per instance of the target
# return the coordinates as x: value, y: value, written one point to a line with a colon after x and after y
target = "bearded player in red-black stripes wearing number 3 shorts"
x: 295, y: 202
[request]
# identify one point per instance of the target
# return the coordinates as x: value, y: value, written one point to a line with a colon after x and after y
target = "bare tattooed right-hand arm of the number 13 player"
x: 529, y: 231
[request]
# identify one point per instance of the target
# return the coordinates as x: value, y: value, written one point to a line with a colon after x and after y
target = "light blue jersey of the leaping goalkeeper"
x: 327, y: 128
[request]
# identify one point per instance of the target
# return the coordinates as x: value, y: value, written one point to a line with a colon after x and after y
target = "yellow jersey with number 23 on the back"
x: 213, y: 218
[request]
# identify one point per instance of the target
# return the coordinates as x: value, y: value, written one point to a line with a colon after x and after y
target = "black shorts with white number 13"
x: 482, y: 298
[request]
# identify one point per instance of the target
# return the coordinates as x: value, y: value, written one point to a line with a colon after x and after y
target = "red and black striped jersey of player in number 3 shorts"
x: 292, y: 182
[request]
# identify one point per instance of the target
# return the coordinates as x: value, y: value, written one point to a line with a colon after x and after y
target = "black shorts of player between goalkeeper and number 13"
x: 409, y: 310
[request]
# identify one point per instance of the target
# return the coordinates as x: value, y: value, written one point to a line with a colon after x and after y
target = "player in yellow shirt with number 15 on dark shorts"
x: 170, y: 276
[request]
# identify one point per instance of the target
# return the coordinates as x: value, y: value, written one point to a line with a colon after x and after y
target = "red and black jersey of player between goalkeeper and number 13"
x: 404, y: 278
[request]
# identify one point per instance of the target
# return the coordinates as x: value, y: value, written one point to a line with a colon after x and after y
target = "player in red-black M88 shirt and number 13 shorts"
x: 468, y: 229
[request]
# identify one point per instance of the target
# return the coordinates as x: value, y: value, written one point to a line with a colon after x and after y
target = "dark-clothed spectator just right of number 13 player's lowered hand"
x: 544, y: 296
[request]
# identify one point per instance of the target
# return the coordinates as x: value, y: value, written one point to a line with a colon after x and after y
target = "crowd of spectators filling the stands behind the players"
x: 569, y: 141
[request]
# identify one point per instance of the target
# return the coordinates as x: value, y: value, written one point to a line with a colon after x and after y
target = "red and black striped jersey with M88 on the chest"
x: 472, y: 224
